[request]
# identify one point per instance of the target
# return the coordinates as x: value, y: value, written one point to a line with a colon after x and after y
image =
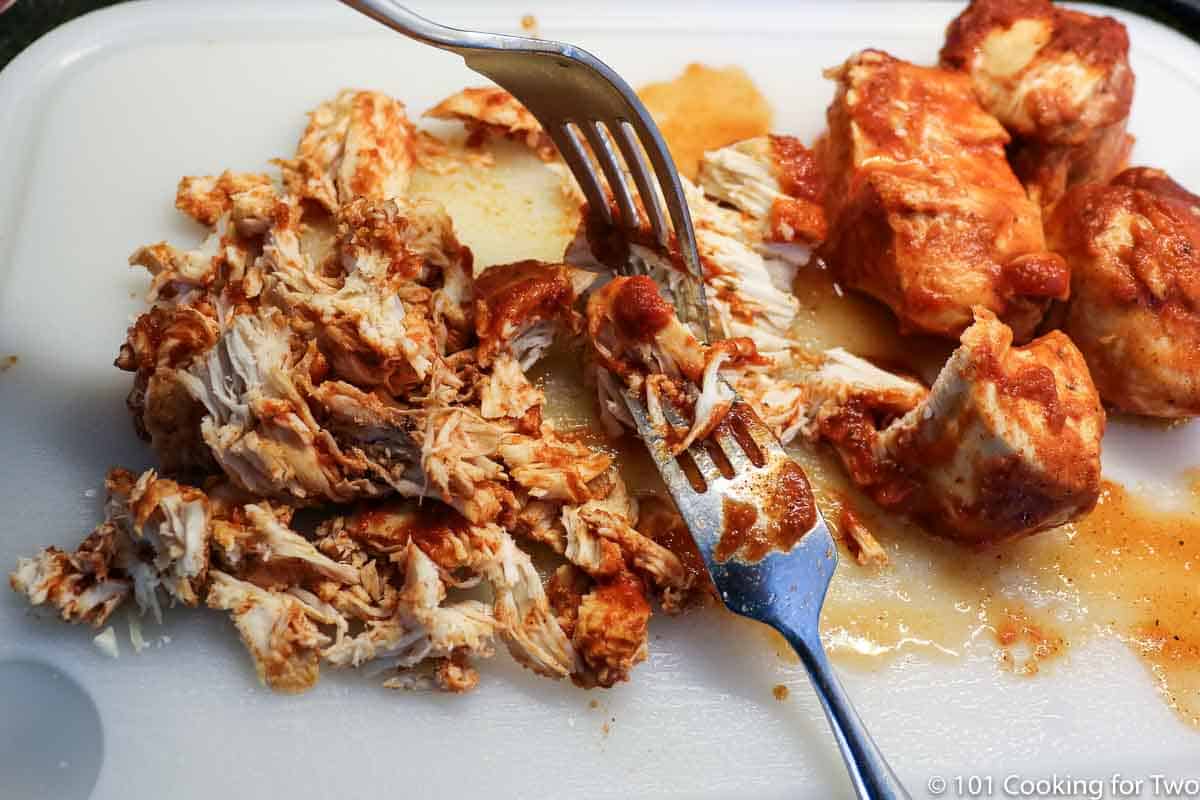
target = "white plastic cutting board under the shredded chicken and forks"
x: 98, y: 123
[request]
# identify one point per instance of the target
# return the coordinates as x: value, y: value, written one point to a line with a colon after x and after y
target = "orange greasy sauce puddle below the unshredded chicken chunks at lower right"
x: 1127, y: 570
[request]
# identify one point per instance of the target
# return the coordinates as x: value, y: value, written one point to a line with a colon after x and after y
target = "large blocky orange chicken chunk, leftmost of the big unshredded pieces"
x: 925, y: 212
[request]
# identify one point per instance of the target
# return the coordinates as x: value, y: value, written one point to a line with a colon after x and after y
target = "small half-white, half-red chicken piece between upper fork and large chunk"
x: 775, y: 181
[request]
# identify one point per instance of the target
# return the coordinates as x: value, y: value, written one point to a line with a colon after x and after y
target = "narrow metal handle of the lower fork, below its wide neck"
x: 869, y: 772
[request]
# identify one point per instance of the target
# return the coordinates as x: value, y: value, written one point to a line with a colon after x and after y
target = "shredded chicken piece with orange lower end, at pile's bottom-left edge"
x: 277, y: 629
